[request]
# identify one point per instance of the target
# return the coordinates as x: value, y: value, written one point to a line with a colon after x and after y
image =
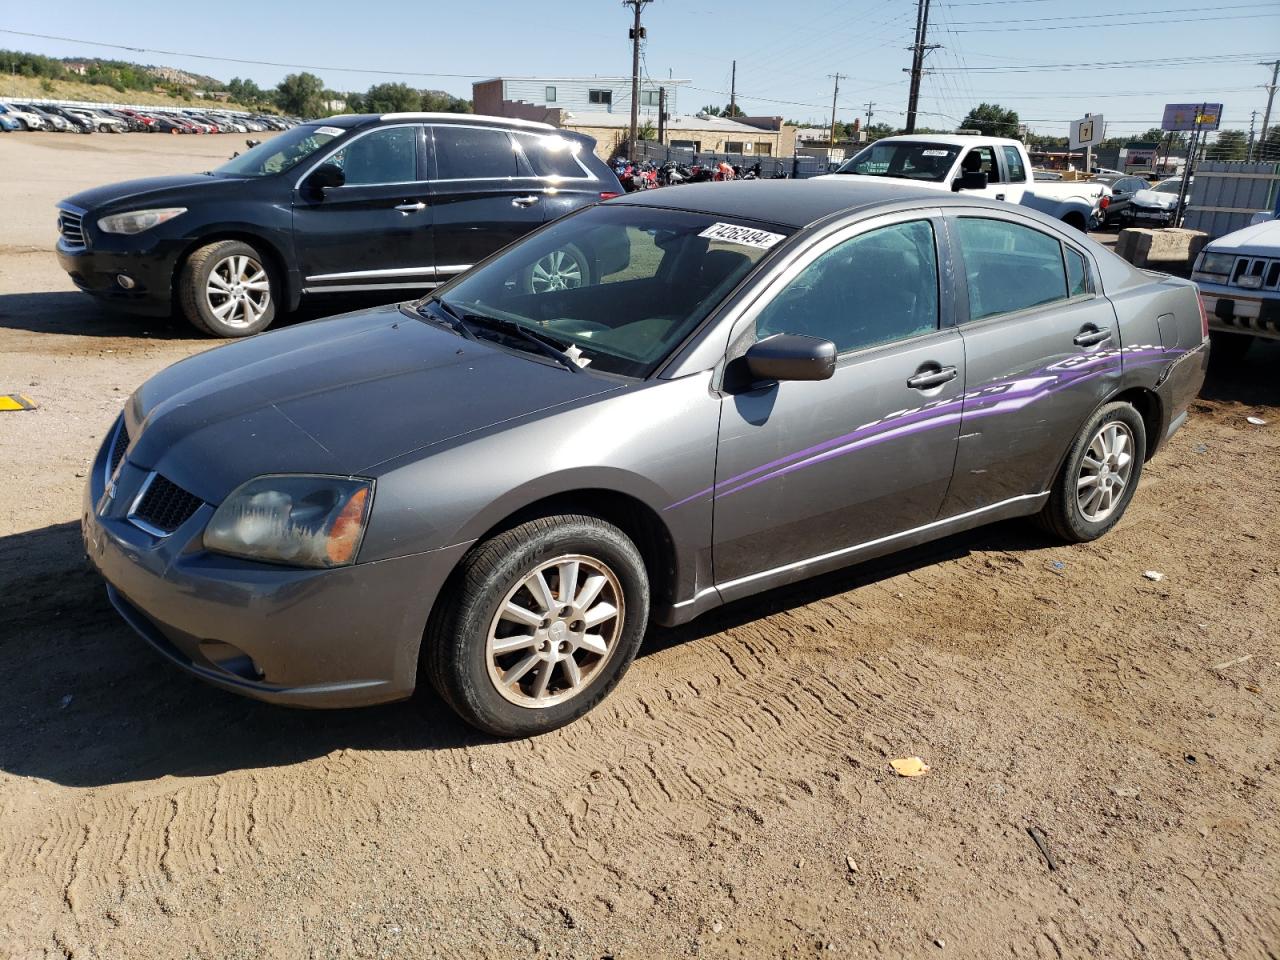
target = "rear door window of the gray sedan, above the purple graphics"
x: 1009, y: 267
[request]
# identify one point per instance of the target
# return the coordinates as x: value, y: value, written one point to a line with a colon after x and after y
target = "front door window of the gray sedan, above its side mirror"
x: 877, y: 287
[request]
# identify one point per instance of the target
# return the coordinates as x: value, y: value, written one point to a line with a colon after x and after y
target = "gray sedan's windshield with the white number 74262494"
x: 619, y: 287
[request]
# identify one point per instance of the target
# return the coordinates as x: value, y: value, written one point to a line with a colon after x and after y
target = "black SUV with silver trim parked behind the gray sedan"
x: 400, y: 202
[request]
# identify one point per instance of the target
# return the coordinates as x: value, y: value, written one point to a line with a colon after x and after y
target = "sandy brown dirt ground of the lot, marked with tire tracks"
x: 732, y: 799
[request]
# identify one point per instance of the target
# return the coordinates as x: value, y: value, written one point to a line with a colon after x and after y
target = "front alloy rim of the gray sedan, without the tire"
x: 555, y: 632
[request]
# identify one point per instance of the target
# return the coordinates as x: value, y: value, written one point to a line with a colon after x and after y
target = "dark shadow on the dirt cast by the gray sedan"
x: 89, y: 705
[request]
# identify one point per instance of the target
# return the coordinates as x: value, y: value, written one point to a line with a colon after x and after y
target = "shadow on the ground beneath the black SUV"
x: 79, y: 316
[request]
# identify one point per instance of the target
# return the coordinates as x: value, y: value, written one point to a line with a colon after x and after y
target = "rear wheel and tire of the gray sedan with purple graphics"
x: 1067, y: 513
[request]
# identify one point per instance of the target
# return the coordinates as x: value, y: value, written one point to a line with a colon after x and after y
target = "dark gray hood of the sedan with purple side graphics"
x: 337, y: 396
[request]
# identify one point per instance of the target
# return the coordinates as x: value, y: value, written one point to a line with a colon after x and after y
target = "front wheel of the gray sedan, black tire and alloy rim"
x: 460, y: 660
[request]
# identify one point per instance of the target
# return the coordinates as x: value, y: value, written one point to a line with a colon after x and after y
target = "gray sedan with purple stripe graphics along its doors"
x: 492, y: 492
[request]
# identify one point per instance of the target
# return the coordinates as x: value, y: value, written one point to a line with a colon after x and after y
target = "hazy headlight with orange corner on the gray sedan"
x: 298, y: 520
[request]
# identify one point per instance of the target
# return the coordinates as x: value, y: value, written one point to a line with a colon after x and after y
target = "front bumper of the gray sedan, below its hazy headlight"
x: 348, y: 637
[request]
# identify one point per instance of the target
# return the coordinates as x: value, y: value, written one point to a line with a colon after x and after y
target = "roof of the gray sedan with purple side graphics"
x: 799, y: 203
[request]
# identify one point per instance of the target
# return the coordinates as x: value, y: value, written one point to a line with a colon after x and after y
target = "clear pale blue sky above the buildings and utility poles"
x: 1049, y: 61
